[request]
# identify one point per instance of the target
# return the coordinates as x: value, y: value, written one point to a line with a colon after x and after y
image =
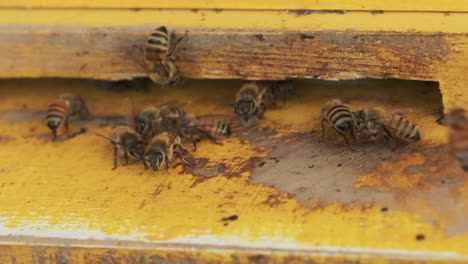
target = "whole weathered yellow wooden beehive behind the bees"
x: 275, y: 192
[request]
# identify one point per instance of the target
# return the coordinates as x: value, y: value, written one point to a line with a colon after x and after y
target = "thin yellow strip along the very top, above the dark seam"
x: 395, y: 5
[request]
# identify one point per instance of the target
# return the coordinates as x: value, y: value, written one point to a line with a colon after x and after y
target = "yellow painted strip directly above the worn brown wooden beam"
x: 240, y: 19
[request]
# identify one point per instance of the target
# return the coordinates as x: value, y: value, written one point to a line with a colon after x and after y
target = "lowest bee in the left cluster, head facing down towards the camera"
x: 162, y: 149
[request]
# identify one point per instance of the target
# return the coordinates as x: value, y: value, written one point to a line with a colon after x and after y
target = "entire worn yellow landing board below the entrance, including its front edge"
x: 276, y: 192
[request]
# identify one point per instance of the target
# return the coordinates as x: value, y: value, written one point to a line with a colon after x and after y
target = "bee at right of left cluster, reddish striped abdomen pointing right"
x: 214, y: 127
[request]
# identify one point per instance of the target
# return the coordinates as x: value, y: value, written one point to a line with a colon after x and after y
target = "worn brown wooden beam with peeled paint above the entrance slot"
x: 116, y: 53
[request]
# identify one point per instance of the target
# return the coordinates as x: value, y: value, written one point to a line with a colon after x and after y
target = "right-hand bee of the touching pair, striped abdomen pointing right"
x: 375, y: 121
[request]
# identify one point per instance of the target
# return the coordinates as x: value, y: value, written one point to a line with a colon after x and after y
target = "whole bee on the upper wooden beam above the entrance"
x: 160, y: 56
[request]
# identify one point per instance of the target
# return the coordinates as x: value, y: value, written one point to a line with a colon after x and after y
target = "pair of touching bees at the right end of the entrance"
x: 373, y: 122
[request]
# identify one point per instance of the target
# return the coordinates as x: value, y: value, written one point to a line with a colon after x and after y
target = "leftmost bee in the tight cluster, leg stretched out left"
x: 126, y: 143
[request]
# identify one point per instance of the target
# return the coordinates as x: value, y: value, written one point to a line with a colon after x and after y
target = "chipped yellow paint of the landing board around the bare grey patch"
x: 67, y: 189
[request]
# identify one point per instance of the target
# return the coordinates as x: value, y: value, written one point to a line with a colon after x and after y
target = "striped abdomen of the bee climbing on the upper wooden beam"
x: 157, y: 45
